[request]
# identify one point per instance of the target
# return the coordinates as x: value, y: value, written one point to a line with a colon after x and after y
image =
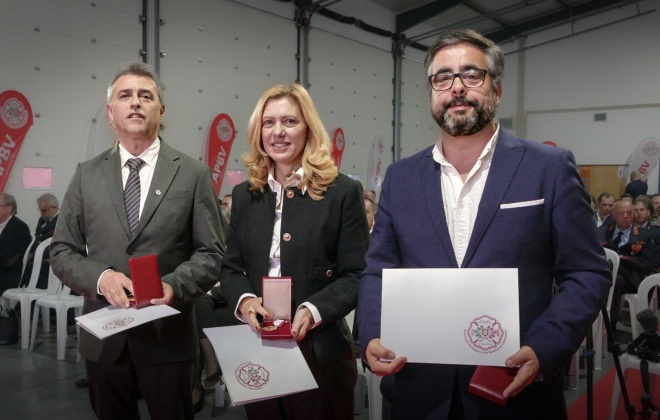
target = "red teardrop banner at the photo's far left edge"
x: 15, y: 121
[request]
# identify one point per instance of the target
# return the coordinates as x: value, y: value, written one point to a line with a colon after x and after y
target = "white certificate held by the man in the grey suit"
x: 111, y: 319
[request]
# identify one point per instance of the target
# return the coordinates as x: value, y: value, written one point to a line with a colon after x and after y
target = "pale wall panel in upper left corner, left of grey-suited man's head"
x: 61, y: 55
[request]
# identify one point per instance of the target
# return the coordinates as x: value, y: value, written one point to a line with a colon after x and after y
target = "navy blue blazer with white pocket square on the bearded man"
x: 554, y: 241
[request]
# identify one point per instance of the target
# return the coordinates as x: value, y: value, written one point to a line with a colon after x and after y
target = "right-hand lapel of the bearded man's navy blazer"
x: 506, y: 159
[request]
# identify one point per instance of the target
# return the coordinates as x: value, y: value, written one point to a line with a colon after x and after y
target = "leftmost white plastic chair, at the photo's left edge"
x: 25, y: 295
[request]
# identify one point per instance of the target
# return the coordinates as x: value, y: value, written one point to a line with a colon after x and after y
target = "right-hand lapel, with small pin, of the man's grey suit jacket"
x: 166, y: 169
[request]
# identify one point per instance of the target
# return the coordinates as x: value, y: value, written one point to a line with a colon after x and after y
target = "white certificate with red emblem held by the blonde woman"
x: 255, y: 369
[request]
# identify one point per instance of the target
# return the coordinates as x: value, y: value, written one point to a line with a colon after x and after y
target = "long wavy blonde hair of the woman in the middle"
x: 318, y: 166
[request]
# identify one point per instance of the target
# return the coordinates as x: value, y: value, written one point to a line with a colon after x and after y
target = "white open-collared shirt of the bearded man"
x: 461, y: 199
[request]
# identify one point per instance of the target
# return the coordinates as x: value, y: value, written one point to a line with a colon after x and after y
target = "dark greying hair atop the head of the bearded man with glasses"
x: 494, y: 54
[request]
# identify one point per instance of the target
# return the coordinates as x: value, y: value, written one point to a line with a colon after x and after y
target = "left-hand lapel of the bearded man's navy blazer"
x: 429, y: 171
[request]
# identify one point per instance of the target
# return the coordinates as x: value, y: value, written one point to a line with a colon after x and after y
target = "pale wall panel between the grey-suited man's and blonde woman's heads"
x: 216, y: 62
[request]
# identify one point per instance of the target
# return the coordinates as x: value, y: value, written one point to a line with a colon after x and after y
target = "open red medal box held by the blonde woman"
x: 276, y: 299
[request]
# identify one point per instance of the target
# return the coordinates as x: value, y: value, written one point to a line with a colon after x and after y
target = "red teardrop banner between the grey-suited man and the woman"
x: 221, y: 138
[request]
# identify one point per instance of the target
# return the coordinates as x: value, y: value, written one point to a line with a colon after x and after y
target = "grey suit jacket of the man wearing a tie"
x: 180, y: 223
